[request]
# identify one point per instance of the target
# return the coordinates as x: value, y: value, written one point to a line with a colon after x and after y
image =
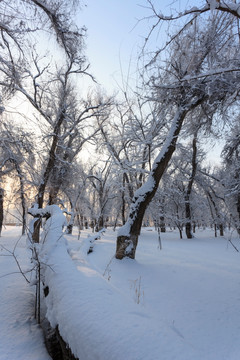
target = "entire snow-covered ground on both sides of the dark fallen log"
x: 182, y: 302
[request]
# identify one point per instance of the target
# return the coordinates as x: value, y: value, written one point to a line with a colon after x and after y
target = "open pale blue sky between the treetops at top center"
x: 115, y: 34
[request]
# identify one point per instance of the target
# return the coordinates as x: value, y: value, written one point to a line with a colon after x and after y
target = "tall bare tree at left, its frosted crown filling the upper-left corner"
x: 16, y: 68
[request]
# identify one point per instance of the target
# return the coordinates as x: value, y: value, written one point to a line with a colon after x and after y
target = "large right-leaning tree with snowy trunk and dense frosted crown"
x: 183, y: 87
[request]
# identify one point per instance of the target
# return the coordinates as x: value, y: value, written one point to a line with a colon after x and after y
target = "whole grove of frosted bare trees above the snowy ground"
x: 127, y: 160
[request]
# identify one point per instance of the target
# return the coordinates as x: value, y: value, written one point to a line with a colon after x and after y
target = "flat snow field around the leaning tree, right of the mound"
x: 188, y: 295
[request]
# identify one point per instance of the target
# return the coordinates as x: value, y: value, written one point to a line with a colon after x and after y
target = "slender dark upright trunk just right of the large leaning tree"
x: 188, y: 226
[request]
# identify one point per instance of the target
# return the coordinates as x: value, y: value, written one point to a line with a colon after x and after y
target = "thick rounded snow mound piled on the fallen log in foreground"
x: 97, y: 322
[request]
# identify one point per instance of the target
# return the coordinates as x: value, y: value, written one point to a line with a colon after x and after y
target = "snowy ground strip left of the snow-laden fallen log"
x: 21, y: 338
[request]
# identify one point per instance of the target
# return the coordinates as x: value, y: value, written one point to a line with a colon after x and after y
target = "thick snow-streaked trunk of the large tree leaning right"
x: 127, y: 239
